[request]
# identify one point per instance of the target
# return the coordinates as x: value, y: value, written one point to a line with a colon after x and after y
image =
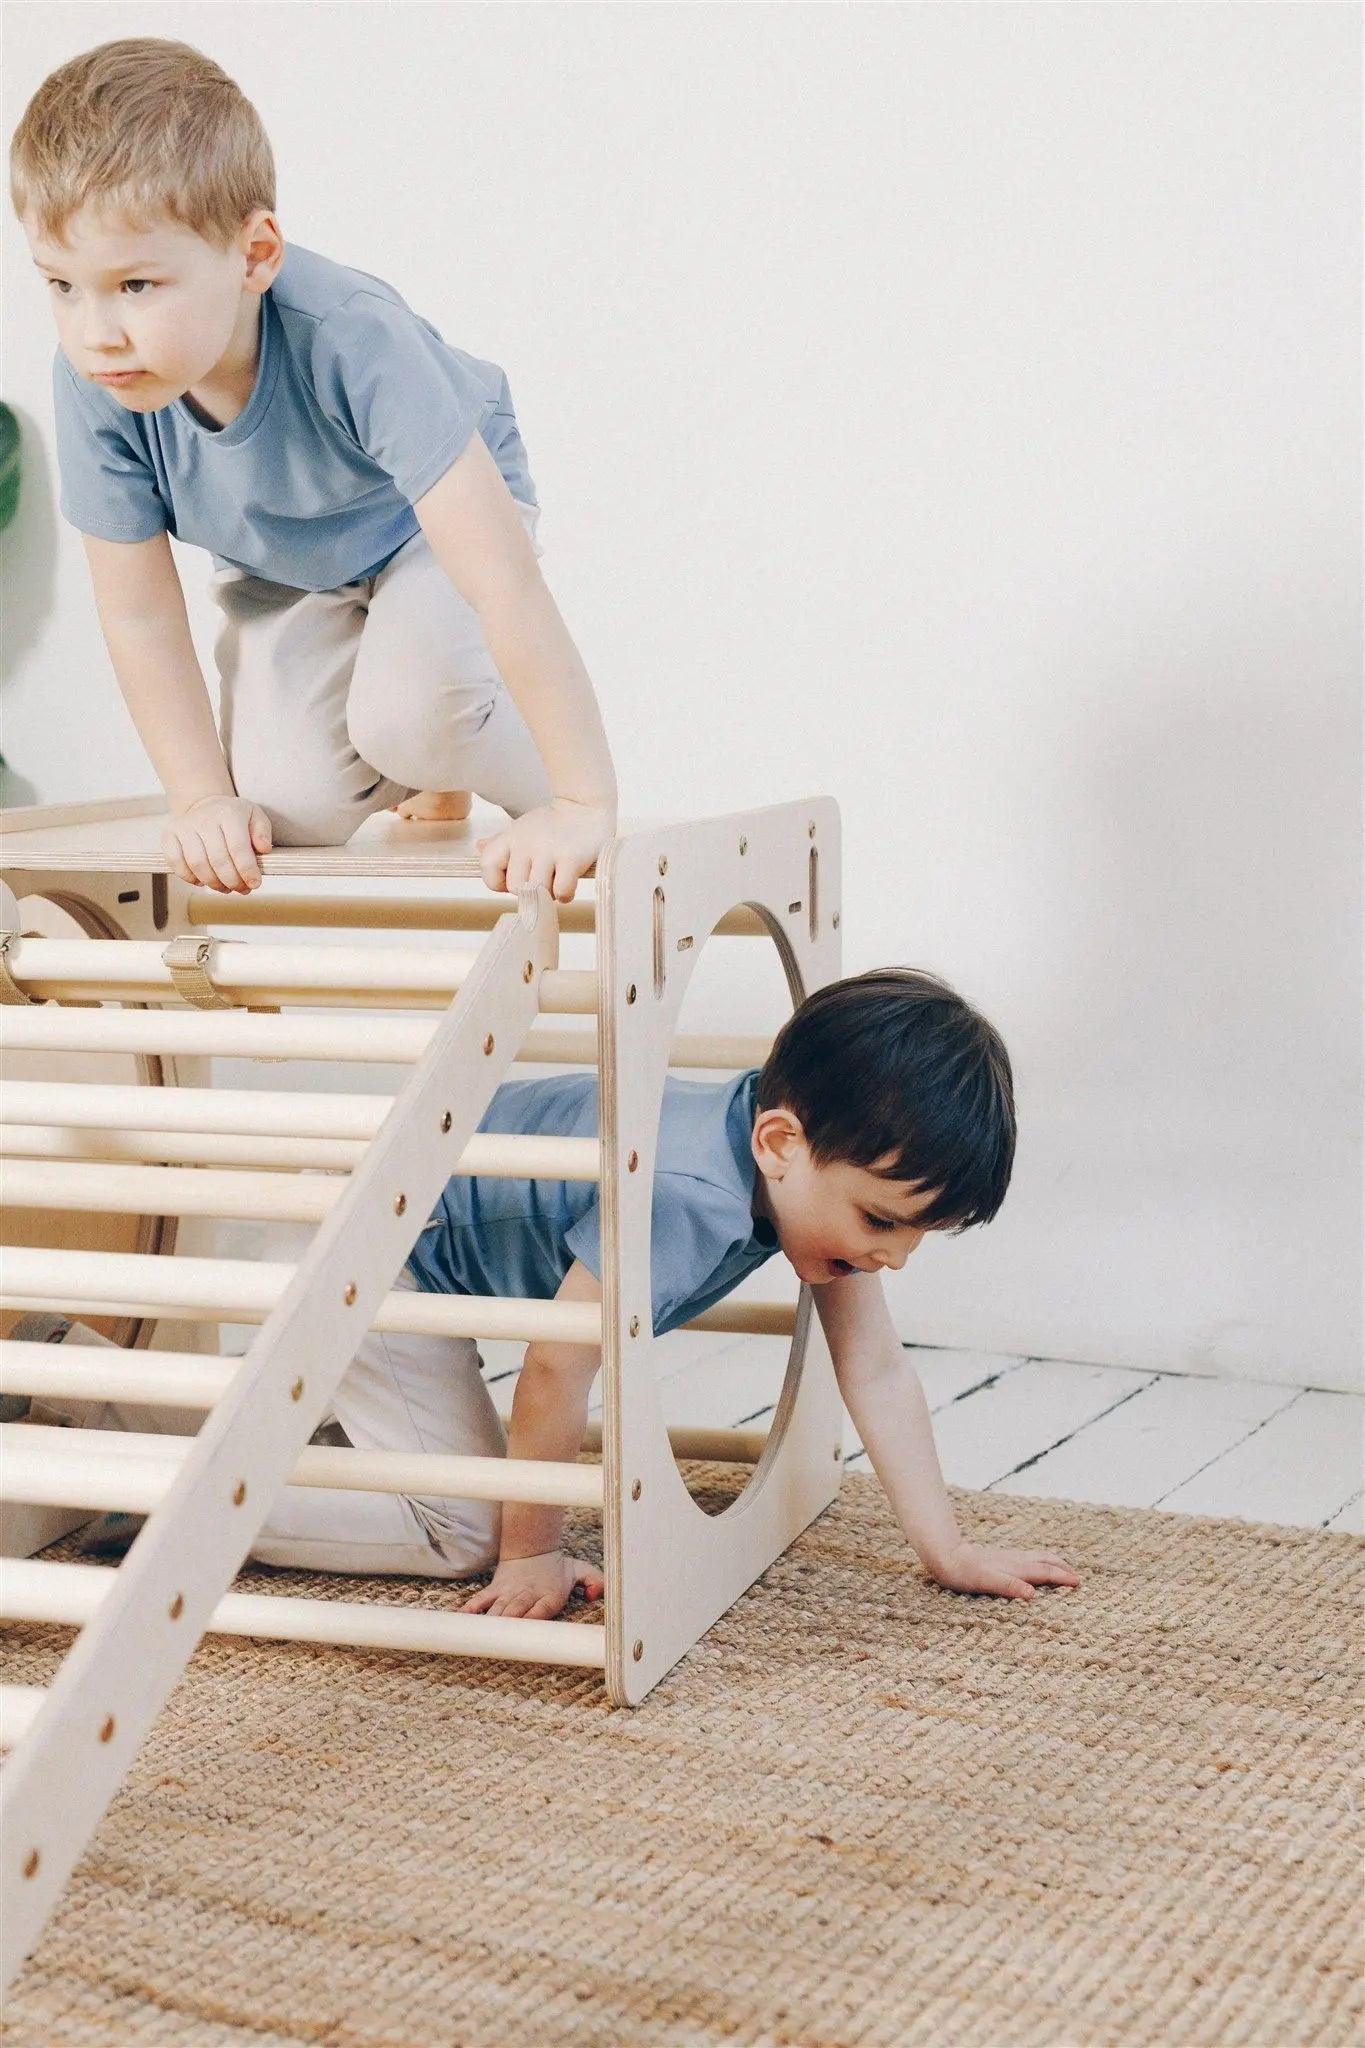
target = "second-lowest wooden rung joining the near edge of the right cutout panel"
x: 130, y: 1469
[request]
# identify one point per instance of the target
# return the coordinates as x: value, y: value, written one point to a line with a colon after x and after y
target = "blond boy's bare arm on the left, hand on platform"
x: 214, y: 837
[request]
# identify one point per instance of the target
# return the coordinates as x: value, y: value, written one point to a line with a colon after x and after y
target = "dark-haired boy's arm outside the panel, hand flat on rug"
x: 887, y: 1402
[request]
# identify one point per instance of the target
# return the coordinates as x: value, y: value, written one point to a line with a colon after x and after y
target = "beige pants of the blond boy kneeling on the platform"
x: 337, y: 703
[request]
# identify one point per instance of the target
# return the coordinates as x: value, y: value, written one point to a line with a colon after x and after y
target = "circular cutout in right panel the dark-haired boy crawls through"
x: 721, y: 1390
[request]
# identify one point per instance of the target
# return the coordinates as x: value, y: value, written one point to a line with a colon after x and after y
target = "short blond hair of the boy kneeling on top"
x: 146, y: 130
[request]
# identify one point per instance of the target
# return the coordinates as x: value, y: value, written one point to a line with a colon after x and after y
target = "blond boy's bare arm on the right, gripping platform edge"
x: 478, y: 538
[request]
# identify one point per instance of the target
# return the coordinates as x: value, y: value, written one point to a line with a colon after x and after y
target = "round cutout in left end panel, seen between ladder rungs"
x: 62, y: 1230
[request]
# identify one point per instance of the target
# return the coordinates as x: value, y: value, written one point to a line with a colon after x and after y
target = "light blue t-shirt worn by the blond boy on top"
x: 359, y: 409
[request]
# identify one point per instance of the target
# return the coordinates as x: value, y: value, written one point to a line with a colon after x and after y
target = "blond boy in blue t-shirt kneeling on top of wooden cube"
x: 388, y: 638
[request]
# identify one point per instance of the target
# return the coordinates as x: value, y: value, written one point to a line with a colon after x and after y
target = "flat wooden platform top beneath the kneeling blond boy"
x: 124, y: 837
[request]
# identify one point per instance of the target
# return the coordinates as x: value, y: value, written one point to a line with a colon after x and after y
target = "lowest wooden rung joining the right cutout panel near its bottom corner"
x: 34, y: 1590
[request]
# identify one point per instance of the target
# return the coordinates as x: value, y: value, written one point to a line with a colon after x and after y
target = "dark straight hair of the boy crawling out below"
x: 895, y: 1062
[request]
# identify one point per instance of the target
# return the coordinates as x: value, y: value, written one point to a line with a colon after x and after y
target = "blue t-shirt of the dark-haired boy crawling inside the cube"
x: 523, y: 1236
